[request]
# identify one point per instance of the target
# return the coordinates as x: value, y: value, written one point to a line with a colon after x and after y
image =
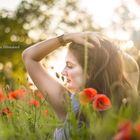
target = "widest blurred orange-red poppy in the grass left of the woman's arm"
x: 17, y: 94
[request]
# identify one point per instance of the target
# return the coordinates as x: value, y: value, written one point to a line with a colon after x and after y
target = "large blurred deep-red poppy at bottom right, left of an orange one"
x: 125, y: 131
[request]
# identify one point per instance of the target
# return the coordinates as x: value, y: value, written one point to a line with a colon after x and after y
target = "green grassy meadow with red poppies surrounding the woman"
x: 25, y: 114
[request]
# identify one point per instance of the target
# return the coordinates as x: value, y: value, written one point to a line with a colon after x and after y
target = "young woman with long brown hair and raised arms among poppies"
x: 92, y: 61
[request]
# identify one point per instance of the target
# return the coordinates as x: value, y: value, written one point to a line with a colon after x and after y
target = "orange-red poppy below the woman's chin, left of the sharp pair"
x: 87, y: 95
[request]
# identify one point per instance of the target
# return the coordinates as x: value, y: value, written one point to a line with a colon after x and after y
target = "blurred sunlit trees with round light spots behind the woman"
x: 36, y: 20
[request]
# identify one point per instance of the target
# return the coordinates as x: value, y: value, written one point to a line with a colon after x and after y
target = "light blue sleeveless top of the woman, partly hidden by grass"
x: 63, y: 133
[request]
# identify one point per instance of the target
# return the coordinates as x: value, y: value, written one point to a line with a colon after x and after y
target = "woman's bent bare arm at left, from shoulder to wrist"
x: 51, y: 89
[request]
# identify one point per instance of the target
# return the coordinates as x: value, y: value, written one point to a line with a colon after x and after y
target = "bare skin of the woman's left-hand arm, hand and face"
x: 52, y: 90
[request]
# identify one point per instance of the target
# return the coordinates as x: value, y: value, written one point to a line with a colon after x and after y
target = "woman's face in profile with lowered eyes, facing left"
x: 73, y: 73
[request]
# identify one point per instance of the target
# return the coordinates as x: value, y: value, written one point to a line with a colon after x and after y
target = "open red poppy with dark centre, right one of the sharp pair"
x: 101, y: 102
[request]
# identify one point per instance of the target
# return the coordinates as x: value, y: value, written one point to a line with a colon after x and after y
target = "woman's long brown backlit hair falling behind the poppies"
x: 105, y: 70
